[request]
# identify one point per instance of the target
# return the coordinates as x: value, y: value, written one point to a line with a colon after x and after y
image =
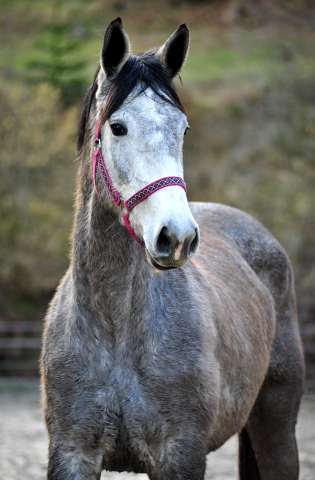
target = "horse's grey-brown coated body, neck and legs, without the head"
x: 149, y: 372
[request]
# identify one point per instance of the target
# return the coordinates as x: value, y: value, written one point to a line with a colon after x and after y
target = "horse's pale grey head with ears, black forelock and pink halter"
x: 140, y: 126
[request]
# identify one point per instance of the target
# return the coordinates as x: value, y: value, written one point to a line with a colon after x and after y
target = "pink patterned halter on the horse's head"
x: 131, y: 202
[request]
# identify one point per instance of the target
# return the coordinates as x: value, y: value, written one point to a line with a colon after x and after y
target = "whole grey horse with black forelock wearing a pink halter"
x: 175, y: 326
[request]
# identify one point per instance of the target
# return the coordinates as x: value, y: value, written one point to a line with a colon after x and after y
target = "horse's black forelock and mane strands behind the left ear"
x: 144, y: 69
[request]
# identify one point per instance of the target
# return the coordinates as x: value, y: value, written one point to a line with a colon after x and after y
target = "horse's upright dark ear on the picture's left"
x: 115, y: 49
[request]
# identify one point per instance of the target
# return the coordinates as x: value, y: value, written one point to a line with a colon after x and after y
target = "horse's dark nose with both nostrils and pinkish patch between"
x: 173, y: 246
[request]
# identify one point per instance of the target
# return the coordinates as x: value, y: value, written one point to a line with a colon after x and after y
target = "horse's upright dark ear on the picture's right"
x: 174, y: 52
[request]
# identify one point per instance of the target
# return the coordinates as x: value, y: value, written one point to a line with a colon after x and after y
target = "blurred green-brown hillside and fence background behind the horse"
x: 249, y: 90
